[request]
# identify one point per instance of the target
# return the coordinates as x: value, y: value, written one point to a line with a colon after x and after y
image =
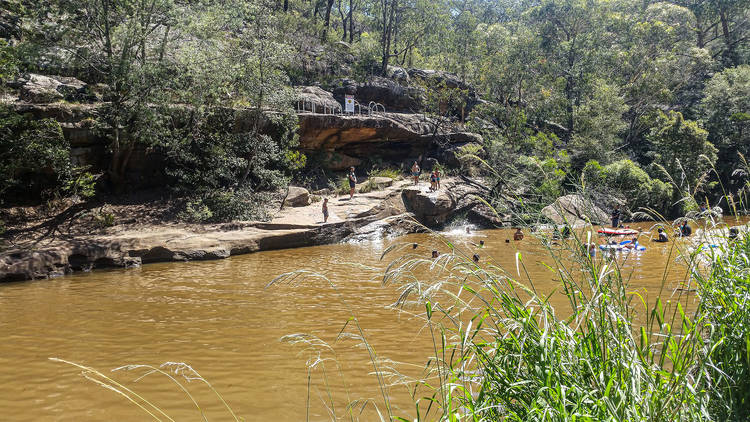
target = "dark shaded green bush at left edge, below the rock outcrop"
x: 34, y: 156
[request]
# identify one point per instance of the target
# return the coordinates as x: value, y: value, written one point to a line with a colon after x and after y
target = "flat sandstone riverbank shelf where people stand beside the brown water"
x: 395, y: 208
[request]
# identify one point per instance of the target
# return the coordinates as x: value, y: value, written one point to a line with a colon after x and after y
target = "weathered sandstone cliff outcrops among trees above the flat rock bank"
x: 340, y: 140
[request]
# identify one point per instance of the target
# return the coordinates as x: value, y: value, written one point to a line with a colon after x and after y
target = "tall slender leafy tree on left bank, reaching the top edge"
x: 124, y: 43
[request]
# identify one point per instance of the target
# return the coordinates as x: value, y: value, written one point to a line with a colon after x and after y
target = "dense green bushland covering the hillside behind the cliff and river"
x: 563, y: 83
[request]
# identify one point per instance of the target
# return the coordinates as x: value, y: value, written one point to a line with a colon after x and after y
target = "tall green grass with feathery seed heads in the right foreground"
x: 502, y: 351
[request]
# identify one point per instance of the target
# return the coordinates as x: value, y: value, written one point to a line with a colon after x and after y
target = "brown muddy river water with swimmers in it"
x: 220, y: 318
